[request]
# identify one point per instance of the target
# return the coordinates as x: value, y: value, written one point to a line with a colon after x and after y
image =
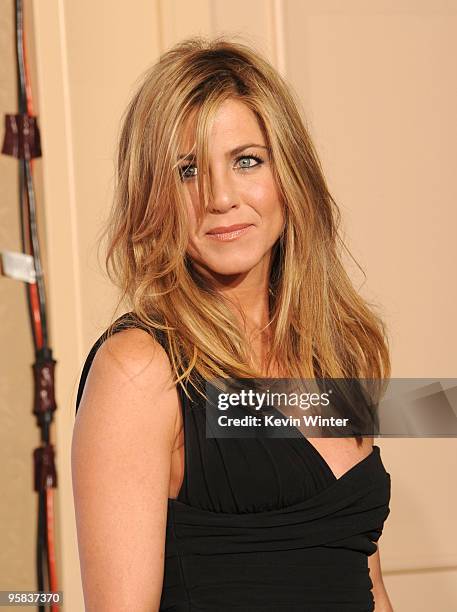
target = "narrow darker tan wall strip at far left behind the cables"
x: 19, y: 435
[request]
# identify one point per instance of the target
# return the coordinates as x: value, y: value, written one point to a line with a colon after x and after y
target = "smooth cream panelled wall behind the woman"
x: 375, y: 82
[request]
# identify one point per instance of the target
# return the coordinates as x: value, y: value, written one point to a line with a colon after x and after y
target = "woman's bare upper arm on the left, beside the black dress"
x: 121, y: 461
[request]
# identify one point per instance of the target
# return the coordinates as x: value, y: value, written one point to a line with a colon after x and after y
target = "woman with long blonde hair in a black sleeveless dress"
x: 223, y: 239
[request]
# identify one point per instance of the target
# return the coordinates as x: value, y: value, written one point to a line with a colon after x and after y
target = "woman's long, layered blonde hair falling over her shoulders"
x: 320, y: 326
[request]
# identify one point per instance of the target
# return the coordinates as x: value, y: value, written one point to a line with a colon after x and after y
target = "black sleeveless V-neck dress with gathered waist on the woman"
x: 263, y: 524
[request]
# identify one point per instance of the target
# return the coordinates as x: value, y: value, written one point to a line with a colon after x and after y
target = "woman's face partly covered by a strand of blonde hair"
x: 244, y: 193
